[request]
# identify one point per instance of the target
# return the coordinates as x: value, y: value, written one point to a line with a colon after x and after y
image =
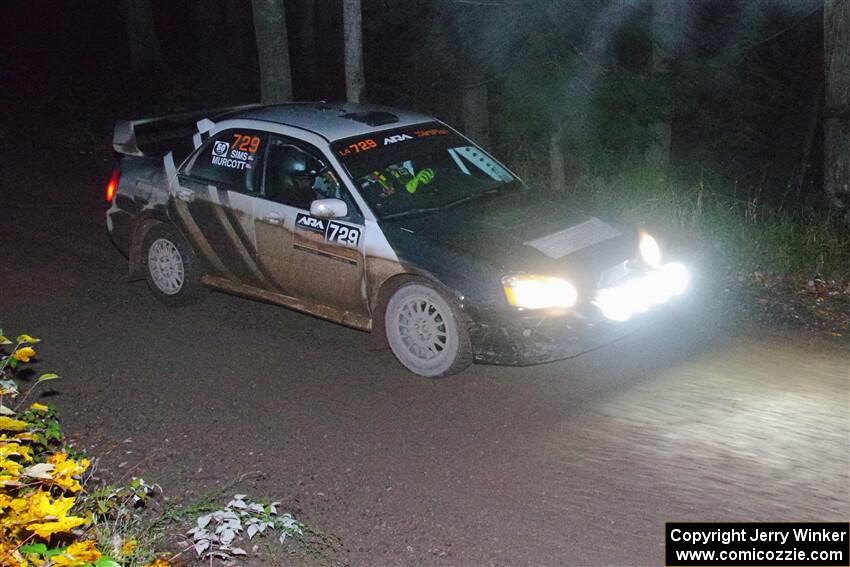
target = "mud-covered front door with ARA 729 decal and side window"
x: 316, y: 260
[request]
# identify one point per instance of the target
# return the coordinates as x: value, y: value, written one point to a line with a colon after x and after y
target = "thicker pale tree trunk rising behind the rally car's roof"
x: 272, y: 50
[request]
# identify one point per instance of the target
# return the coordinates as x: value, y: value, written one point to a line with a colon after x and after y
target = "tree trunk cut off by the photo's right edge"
x: 836, y: 36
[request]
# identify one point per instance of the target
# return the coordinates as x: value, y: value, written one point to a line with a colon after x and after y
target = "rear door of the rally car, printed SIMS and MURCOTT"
x: 215, y: 198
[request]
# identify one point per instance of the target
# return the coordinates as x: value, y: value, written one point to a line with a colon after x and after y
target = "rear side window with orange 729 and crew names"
x: 229, y: 160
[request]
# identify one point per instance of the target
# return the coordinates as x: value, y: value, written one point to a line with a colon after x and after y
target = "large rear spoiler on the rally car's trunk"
x: 157, y: 131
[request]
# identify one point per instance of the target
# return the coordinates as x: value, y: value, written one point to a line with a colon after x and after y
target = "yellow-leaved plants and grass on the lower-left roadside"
x: 54, y: 511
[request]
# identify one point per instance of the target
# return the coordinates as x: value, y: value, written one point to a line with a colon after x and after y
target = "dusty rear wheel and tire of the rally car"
x: 171, y: 267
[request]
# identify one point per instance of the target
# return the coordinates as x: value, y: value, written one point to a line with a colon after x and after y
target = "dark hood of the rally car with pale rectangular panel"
x: 522, y: 232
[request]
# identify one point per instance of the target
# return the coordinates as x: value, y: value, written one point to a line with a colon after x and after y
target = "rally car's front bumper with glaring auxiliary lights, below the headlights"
x: 523, y: 338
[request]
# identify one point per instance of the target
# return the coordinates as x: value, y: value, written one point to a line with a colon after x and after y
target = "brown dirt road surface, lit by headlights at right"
x: 573, y: 463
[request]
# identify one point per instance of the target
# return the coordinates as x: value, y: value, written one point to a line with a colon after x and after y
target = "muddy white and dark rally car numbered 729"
x: 380, y: 219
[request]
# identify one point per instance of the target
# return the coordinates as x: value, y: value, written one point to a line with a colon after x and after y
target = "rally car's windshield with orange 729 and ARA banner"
x: 418, y: 169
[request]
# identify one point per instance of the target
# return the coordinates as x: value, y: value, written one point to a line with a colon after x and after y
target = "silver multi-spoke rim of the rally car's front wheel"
x: 421, y: 326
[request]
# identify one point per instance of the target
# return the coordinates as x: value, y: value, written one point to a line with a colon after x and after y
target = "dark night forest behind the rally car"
x: 720, y: 96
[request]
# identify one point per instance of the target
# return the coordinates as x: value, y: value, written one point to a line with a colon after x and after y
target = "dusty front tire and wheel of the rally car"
x: 427, y: 332
